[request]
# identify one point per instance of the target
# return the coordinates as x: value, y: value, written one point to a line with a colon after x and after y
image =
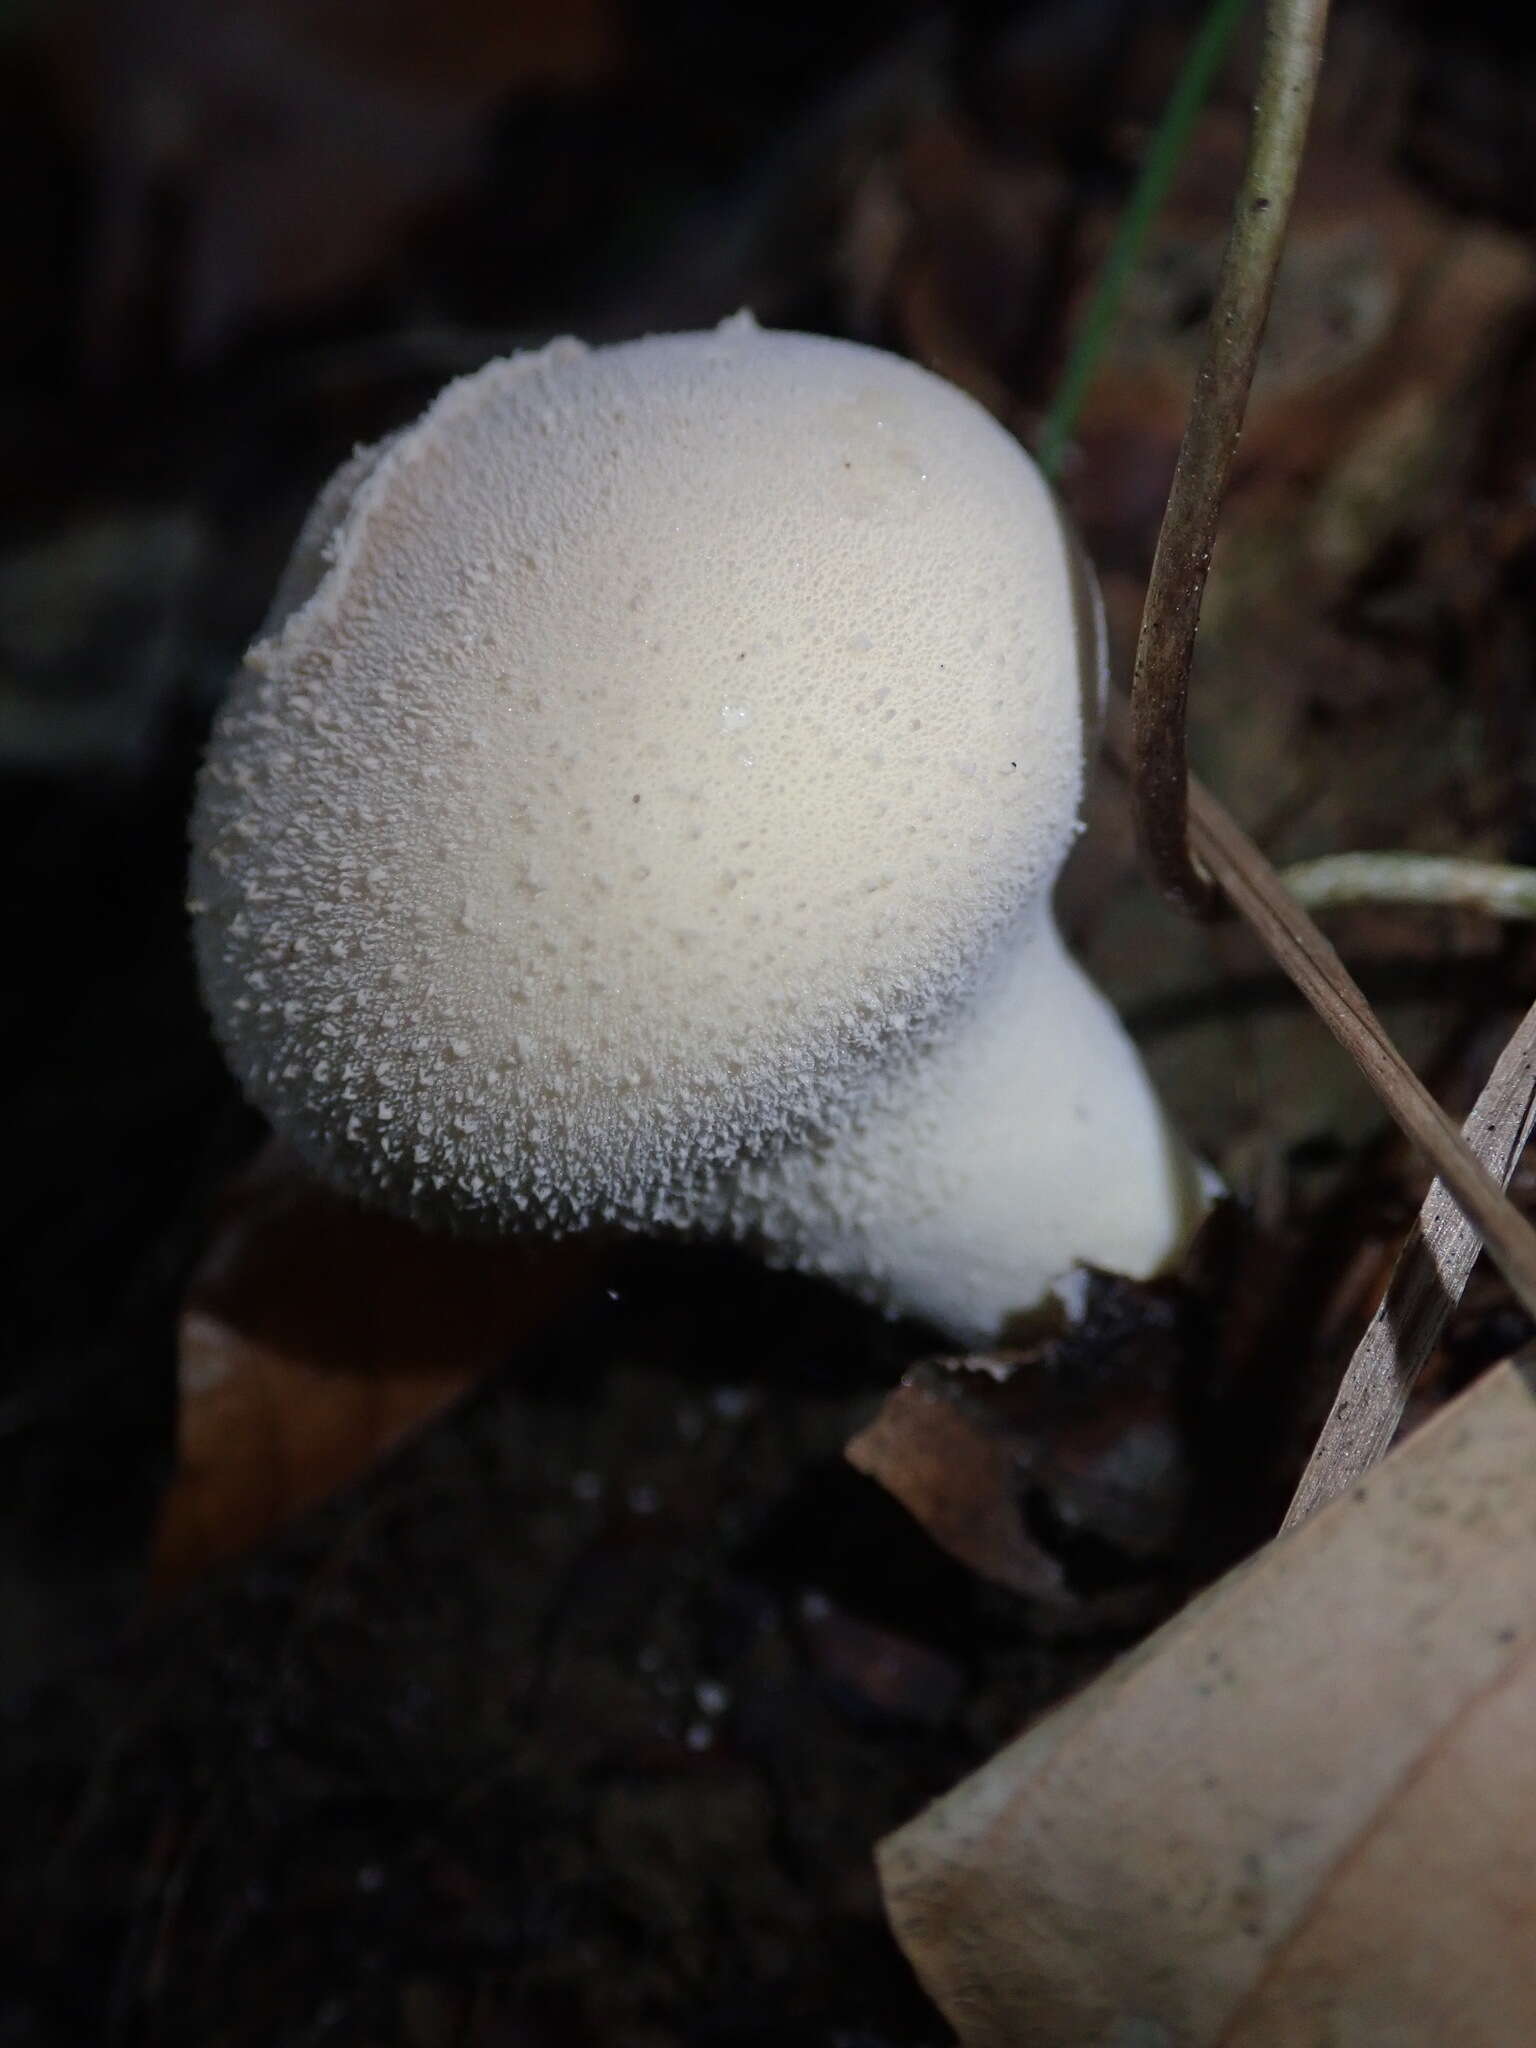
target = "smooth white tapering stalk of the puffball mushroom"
x: 1025, y: 1144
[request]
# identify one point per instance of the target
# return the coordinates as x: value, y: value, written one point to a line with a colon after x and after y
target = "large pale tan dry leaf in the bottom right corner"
x: 1306, y: 1811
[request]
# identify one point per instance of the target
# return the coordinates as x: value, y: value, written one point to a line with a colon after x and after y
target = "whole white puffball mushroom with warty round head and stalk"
x: 644, y: 806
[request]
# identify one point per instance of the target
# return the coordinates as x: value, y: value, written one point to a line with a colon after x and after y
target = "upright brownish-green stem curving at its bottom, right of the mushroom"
x: 1293, y: 50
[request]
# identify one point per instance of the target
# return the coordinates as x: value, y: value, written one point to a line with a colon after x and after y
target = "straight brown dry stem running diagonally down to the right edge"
x: 1254, y: 888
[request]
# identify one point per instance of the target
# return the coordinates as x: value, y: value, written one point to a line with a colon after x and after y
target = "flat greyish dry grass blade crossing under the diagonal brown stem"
x: 1428, y: 1281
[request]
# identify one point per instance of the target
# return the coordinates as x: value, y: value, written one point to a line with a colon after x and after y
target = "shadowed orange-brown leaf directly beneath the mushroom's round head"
x: 316, y: 1338
